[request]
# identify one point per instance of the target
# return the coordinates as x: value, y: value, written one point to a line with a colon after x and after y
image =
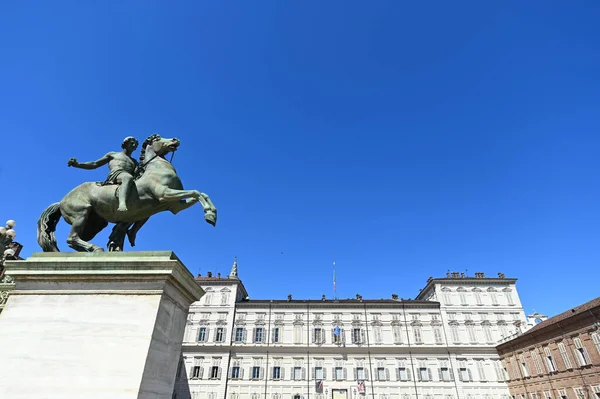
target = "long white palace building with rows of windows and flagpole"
x: 441, y: 345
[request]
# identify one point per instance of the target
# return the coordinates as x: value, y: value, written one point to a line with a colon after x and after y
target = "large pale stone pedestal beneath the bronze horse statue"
x: 89, y: 325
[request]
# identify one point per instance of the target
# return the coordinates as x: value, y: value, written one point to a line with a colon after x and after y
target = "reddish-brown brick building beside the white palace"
x: 559, y: 358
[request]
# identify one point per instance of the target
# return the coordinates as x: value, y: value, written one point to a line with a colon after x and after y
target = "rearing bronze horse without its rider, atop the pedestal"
x: 89, y: 207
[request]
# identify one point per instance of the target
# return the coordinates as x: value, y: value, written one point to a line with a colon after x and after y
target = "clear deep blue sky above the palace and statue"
x: 400, y: 139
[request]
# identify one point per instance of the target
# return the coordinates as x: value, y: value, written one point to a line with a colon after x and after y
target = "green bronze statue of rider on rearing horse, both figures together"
x: 131, y: 194
